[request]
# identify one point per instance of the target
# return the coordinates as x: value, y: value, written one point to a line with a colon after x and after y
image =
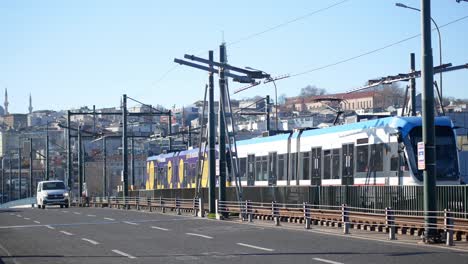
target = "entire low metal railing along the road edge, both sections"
x: 450, y: 225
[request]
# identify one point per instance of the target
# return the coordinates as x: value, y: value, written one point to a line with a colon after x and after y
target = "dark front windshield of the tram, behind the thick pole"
x: 446, y: 152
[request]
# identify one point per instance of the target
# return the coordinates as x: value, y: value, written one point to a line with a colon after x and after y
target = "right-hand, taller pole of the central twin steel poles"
x: 222, y: 124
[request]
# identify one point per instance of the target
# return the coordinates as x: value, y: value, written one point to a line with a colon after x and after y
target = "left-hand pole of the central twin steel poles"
x: 211, y: 140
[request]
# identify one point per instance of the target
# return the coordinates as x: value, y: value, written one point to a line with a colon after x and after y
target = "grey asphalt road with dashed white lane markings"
x: 95, y: 235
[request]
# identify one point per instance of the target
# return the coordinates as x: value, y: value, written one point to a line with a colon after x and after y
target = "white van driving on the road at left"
x: 52, y: 193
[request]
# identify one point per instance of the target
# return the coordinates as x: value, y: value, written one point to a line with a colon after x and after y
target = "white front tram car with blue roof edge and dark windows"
x: 375, y: 152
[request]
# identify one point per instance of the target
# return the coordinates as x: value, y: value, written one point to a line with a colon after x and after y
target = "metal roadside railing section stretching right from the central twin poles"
x: 383, y: 220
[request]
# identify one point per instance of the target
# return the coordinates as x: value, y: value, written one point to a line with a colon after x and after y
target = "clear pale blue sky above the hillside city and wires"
x: 74, y: 53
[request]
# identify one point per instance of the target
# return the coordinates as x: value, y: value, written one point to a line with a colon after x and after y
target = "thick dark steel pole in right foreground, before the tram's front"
x: 428, y: 128
